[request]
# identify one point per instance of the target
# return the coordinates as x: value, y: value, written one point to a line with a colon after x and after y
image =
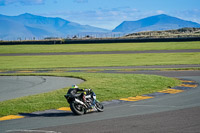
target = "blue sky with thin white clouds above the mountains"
x: 103, y: 13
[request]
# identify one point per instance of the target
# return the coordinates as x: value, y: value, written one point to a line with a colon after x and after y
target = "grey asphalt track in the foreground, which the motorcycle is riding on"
x: 177, y: 113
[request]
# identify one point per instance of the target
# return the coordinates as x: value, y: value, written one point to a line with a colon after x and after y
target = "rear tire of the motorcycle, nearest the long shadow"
x: 77, y: 108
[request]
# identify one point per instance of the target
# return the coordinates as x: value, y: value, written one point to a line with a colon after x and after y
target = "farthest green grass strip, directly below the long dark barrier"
x: 98, y: 47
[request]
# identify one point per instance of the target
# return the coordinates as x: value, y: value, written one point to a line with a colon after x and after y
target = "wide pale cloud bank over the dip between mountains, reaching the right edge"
x: 110, y: 18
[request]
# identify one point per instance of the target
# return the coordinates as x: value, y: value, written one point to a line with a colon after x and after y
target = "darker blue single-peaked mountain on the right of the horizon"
x: 154, y: 23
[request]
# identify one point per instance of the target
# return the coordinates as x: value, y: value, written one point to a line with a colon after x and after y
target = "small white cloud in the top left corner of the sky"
x: 23, y: 2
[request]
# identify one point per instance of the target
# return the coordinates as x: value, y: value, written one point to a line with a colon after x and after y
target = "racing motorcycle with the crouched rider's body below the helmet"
x: 83, y: 102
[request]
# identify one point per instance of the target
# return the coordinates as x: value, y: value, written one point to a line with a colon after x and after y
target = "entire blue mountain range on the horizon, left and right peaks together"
x: 29, y: 26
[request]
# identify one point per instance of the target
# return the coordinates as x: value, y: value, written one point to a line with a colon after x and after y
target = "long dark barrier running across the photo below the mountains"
x: 99, y: 40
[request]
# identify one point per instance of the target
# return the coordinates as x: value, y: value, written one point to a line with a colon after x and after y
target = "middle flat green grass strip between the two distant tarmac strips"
x: 63, y: 61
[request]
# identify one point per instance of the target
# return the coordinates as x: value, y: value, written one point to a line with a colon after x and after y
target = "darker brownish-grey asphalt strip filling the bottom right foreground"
x: 179, y: 121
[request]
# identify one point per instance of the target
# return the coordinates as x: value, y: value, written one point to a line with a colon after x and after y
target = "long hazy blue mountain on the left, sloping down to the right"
x: 27, y: 26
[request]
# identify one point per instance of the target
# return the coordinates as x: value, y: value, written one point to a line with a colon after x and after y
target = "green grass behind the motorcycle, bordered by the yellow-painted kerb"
x: 106, y: 86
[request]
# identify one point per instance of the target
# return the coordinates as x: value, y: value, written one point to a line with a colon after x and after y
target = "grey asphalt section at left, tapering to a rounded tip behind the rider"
x: 18, y: 86
